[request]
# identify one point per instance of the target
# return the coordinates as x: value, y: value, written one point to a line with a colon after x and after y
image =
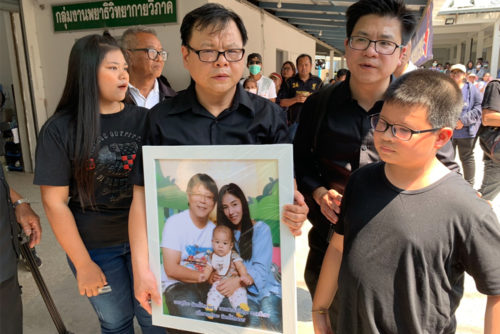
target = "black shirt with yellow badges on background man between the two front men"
x: 294, y: 85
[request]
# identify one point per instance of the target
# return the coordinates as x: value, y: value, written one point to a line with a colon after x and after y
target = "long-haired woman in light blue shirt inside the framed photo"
x: 255, y: 246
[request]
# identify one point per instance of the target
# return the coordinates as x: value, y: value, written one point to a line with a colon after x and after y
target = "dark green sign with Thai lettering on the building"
x: 118, y: 13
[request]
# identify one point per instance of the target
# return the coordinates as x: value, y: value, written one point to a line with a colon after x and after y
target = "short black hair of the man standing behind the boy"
x: 390, y: 8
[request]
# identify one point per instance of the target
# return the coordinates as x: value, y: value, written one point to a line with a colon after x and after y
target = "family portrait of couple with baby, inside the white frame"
x: 219, y: 243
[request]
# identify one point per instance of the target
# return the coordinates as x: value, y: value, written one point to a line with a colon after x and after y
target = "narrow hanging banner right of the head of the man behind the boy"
x: 422, y: 41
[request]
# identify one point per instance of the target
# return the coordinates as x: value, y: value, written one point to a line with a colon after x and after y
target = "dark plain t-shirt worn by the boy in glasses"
x: 405, y: 253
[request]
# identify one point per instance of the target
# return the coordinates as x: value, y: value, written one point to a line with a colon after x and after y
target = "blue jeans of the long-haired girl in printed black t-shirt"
x: 116, y: 309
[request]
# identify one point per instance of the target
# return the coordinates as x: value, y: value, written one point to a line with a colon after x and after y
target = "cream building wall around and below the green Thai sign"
x: 266, y: 34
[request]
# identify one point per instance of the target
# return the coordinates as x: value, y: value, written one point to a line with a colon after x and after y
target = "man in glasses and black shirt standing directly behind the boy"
x: 334, y: 136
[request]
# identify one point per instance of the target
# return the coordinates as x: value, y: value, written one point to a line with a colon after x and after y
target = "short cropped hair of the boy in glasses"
x: 431, y: 89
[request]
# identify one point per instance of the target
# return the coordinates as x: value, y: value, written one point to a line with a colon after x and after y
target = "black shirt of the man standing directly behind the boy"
x: 343, y: 143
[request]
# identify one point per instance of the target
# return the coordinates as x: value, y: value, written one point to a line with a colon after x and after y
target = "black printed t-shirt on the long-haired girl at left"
x: 117, y: 145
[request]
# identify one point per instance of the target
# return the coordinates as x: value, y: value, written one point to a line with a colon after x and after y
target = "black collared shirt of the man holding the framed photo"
x: 182, y: 120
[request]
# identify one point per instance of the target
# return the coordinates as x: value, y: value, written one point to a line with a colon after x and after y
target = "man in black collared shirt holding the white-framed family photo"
x: 214, y: 110
